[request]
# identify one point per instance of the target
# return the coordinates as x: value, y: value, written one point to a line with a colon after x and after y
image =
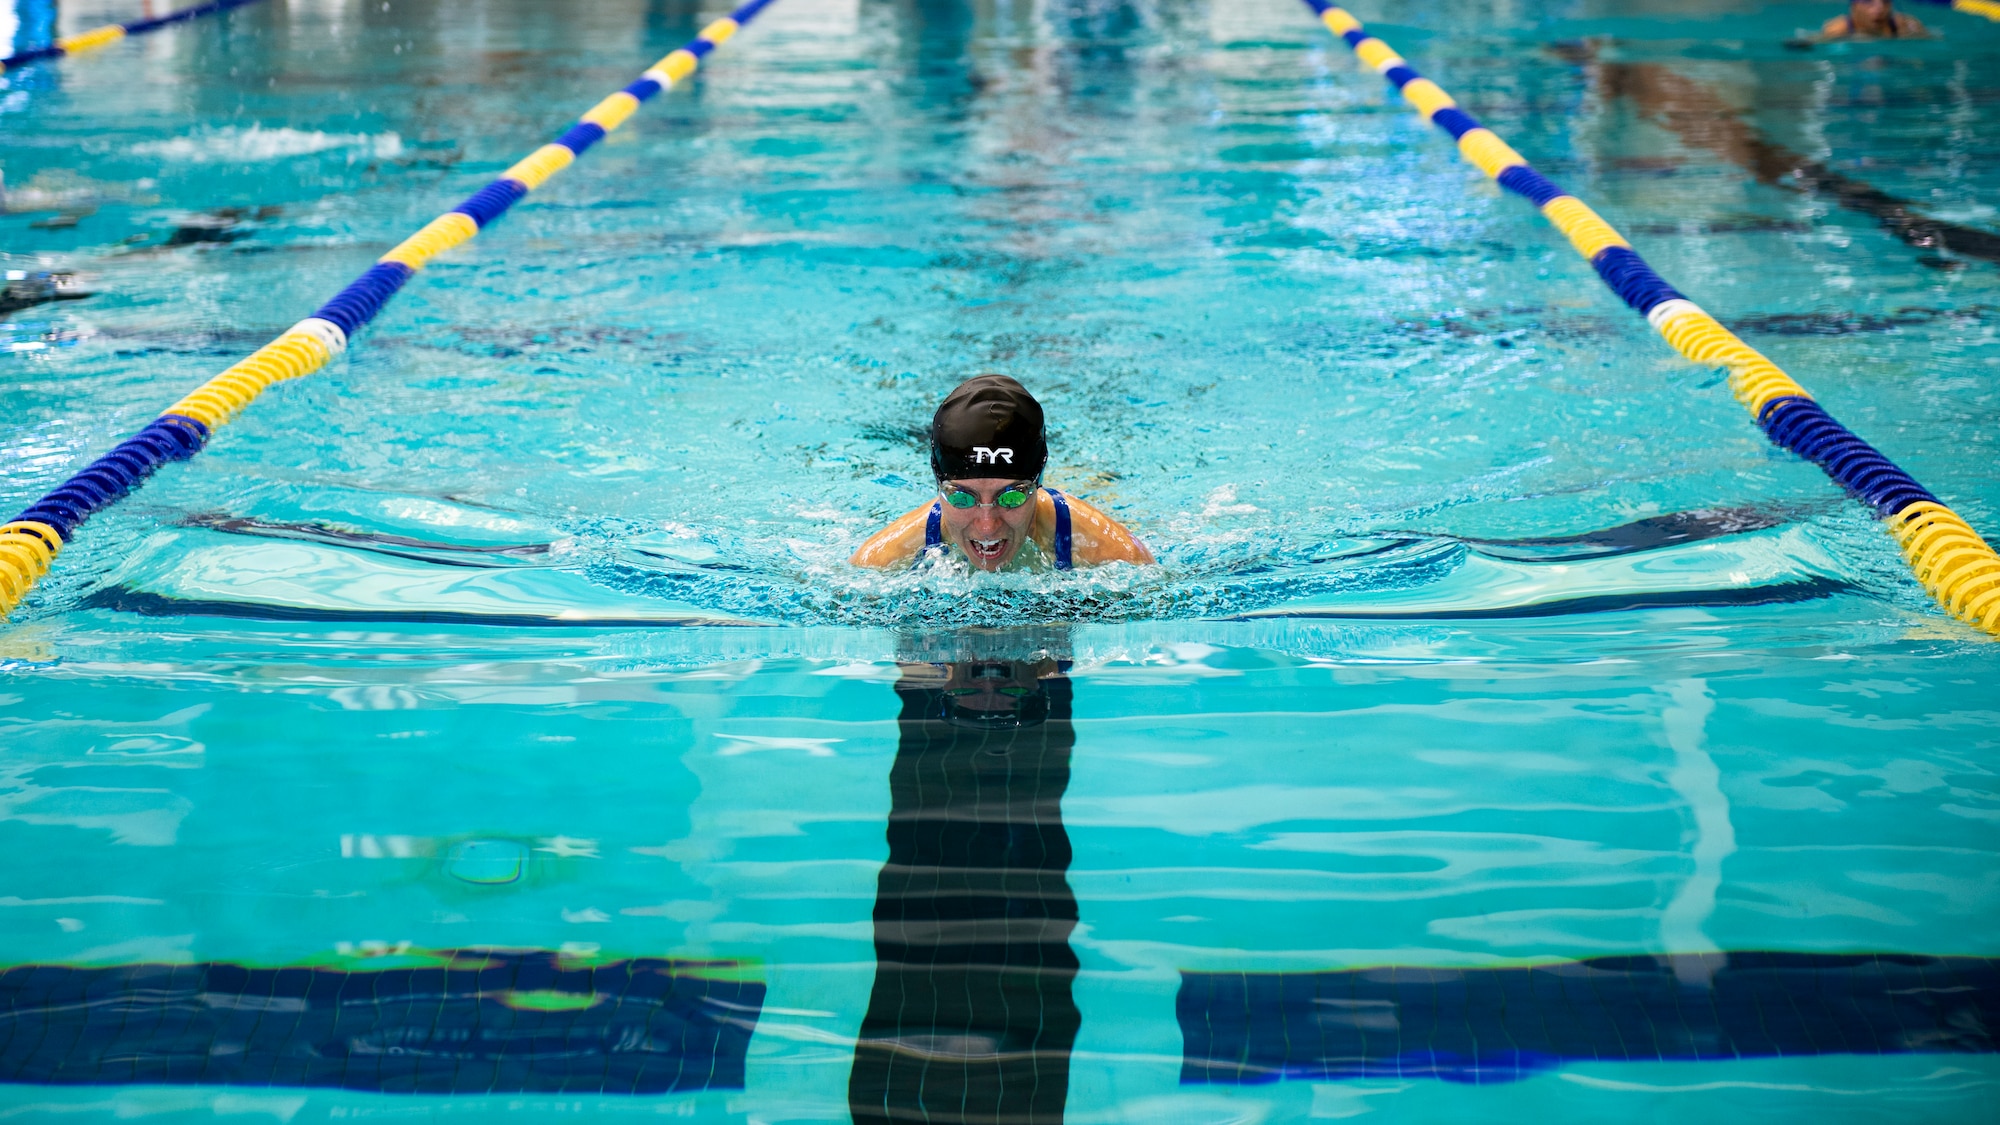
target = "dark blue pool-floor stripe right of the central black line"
x: 1493, y: 1026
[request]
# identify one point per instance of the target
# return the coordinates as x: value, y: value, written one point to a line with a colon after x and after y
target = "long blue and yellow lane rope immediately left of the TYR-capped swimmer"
x: 33, y: 539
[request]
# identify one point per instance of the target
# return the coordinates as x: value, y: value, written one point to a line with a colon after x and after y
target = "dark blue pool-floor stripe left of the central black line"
x: 485, y: 1024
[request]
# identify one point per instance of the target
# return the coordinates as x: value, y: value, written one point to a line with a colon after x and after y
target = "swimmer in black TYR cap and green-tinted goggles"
x: 987, y: 453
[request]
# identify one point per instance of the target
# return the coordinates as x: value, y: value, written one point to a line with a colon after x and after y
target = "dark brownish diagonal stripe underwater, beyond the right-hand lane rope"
x: 1705, y: 119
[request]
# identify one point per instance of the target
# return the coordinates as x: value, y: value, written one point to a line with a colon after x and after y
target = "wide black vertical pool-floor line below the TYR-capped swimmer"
x: 971, y: 1018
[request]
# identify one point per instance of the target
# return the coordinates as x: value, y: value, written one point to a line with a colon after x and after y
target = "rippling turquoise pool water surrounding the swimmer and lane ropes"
x: 1487, y: 632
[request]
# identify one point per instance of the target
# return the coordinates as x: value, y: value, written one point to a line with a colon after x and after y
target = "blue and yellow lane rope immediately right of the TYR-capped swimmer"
x: 1947, y: 555
